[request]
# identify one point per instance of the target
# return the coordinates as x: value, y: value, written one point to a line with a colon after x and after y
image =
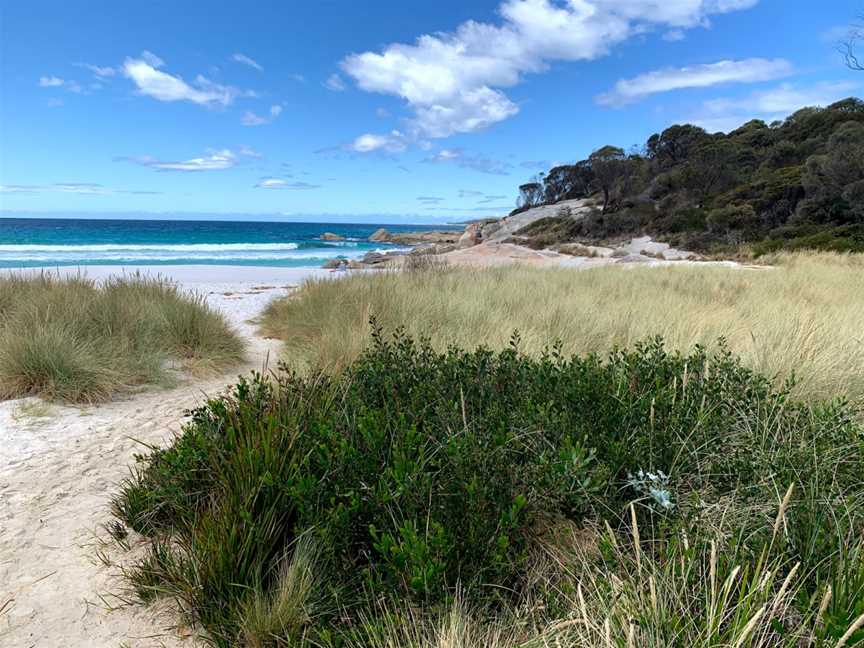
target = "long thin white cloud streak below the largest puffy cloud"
x: 695, y: 76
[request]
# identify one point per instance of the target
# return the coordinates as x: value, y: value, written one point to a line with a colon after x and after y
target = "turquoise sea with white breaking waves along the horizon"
x: 29, y: 242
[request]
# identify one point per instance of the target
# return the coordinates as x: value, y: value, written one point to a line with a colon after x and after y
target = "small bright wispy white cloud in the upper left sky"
x: 165, y: 87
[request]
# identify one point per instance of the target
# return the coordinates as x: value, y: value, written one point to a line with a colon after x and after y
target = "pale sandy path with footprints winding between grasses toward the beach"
x: 58, y: 471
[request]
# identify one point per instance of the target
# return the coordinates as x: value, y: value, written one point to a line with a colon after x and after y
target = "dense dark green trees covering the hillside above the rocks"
x: 795, y: 183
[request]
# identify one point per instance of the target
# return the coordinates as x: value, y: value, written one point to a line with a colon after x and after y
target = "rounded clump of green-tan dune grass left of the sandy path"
x: 73, y: 339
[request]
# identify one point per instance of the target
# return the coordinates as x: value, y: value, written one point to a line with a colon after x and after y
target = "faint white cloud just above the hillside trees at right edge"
x: 725, y: 114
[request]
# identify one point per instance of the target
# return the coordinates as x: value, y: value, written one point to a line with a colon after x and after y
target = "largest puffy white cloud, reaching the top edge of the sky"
x: 453, y: 81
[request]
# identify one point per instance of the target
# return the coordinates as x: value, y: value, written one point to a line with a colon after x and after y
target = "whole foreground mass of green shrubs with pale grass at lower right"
x: 425, y: 498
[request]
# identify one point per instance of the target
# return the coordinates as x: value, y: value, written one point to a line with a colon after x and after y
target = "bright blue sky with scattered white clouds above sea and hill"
x: 419, y: 111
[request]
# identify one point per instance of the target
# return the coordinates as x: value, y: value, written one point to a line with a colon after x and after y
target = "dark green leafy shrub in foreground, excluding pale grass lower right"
x: 423, y: 473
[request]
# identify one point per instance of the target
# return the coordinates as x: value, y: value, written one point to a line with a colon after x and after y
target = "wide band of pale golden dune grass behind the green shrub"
x: 802, y: 316
